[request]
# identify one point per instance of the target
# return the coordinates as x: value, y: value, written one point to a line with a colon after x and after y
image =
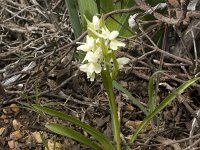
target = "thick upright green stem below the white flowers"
x: 107, y: 82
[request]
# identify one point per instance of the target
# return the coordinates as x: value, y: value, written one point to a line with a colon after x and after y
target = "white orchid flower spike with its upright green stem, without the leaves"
x: 100, y: 47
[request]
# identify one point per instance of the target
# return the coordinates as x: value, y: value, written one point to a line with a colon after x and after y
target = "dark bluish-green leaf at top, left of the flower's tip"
x: 74, y: 17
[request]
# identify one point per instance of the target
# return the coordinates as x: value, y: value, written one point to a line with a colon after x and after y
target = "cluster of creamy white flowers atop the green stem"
x: 94, y: 58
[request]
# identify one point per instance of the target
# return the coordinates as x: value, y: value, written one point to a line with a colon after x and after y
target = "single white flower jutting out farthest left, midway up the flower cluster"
x: 88, y: 46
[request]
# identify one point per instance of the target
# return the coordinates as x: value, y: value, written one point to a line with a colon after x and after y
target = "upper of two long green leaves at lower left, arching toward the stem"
x: 92, y: 131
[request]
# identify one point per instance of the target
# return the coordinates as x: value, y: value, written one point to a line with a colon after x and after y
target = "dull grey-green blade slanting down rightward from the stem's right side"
x: 134, y: 100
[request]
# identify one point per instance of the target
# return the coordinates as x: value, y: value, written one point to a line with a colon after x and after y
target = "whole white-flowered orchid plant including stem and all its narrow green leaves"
x: 100, y: 58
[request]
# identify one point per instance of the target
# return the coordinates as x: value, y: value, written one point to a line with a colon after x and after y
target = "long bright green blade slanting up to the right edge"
x: 163, y: 104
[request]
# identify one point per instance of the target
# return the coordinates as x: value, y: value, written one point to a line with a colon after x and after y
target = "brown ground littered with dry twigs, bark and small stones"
x: 32, y: 55
